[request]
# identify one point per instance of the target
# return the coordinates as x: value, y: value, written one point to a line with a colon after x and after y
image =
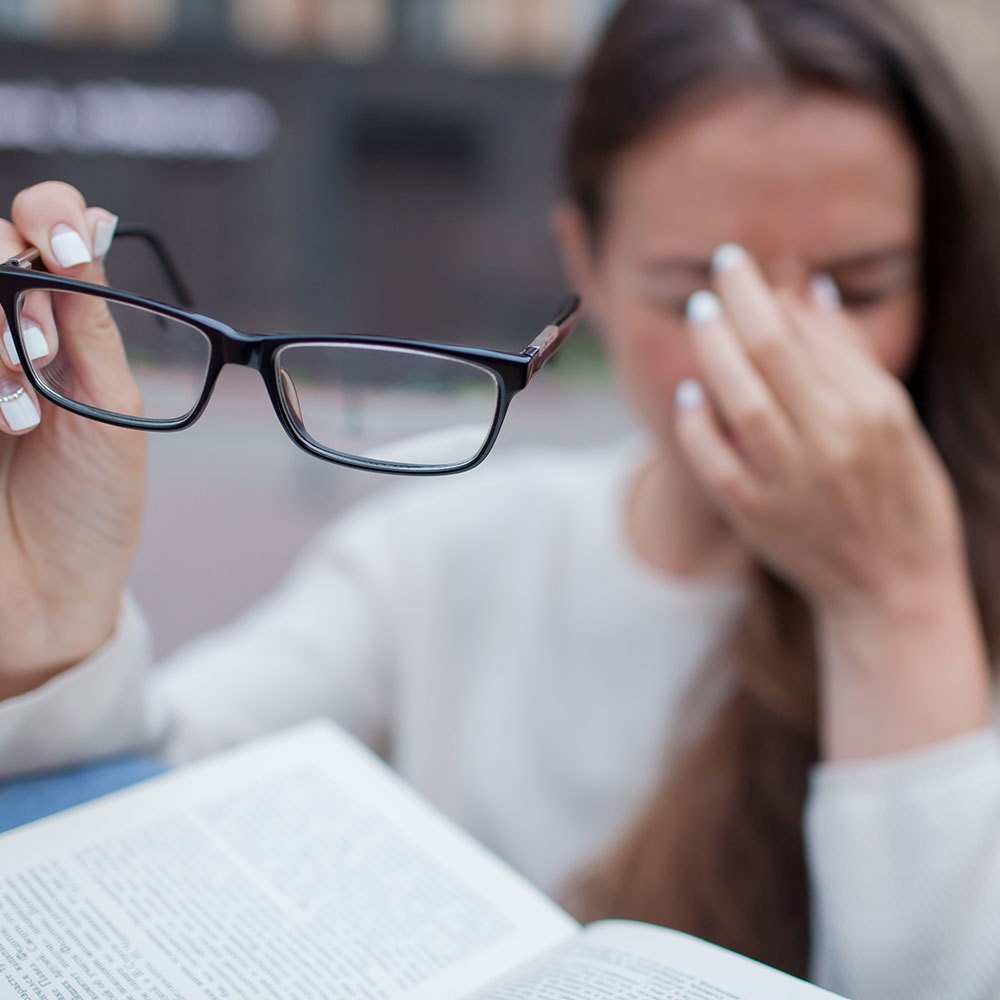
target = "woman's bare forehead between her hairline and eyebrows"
x: 781, y: 173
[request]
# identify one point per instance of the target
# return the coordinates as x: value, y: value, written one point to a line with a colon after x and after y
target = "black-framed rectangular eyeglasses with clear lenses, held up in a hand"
x: 387, y: 405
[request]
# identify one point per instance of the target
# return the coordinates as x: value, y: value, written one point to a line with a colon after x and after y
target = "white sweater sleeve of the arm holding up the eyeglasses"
x: 317, y: 646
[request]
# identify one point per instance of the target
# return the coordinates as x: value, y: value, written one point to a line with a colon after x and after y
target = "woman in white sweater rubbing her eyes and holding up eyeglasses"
x: 635, y: 672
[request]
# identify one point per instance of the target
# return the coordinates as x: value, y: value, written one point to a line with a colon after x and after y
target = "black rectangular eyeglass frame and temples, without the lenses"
x: 511, y: 372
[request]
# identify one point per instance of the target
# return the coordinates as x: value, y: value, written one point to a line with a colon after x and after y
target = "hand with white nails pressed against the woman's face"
x: 812, y: 451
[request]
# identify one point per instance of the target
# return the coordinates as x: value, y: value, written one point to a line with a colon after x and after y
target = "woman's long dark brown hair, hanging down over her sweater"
x: 719, y: 851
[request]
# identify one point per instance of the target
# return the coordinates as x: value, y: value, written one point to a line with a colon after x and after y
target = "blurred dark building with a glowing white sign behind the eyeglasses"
x: 286, y: 146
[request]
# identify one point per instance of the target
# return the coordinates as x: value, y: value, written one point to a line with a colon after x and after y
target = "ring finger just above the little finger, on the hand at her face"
x: 742, y: 398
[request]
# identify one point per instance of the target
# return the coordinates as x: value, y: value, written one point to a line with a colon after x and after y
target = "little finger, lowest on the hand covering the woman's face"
x: 703, y: 443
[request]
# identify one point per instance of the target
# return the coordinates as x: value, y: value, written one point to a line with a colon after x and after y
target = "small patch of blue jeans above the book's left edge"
x: 31, y: 798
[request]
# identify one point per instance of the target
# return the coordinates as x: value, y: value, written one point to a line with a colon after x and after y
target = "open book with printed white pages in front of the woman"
x: 300, y: 866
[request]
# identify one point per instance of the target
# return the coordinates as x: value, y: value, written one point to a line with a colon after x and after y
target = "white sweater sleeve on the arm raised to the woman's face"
x: 904, y: 855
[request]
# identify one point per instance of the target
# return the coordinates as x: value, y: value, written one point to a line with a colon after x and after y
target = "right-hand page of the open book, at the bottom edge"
x: 618, y: 960
